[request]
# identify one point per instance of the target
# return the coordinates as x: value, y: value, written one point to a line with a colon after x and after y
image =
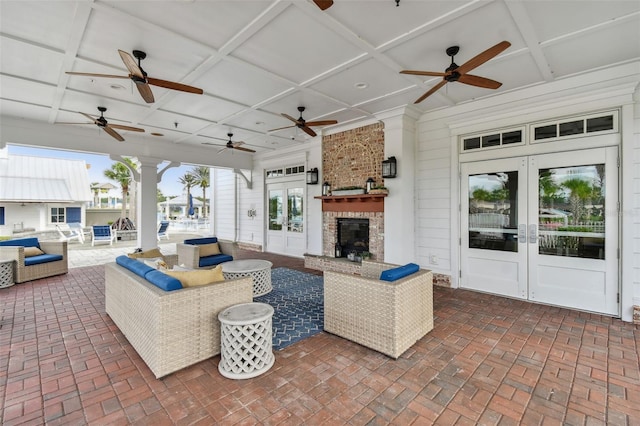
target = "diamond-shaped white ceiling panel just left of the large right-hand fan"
x: 364, y: 81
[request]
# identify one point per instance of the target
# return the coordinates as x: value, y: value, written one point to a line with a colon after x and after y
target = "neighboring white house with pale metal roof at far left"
x: 36, y: 193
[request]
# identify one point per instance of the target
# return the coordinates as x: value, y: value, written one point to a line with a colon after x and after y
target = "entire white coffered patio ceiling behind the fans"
x: 258, y: 59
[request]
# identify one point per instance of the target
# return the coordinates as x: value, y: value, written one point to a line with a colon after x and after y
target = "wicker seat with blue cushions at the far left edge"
x: 53, y: 262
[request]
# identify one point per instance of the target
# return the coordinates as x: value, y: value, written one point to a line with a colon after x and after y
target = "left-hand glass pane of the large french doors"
x: 493, y: 211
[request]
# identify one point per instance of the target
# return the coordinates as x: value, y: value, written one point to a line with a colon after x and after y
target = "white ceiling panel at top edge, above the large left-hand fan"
x: 212, y: 23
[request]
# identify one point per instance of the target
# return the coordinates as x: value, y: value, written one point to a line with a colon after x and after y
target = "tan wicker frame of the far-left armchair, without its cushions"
x: 41, y: 270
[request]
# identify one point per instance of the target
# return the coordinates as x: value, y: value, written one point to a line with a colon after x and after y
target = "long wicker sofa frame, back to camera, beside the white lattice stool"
x: 170, y: 330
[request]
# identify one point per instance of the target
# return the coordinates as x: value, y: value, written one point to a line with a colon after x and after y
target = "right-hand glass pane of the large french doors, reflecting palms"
x: 571, y: 214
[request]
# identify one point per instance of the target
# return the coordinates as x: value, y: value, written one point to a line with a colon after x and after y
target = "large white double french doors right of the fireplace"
x: 543, y: 228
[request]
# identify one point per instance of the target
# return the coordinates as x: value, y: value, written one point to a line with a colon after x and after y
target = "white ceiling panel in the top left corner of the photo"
x: 43, y: 22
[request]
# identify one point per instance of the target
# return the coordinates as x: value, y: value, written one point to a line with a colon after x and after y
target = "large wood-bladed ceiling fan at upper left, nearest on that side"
x: 139, y: 76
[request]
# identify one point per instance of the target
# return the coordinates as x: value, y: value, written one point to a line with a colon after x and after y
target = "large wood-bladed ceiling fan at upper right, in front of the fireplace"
x: 458, y: 73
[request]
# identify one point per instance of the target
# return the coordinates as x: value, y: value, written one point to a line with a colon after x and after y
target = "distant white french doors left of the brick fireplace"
x: 286, y: 225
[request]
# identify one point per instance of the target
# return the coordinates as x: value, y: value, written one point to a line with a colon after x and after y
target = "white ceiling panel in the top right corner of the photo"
x: 552, y: 19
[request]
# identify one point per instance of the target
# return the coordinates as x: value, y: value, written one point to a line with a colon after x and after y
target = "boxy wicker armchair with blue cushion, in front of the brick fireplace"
x: 388, y: 317
